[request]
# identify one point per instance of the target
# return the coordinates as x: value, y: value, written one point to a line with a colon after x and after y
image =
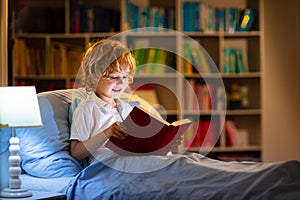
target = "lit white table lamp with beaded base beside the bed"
x: 18, y: 108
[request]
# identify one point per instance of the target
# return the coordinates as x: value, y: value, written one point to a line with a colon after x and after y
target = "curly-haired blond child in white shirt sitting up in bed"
x: 108, y: 67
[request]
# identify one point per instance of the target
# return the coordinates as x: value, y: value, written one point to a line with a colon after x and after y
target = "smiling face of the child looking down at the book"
x: 111, y: 87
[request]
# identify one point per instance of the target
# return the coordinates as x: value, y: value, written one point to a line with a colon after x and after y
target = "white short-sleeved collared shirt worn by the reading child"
x: 93, y: 115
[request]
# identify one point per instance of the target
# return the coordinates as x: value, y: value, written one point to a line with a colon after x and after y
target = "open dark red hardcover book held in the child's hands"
x: 147, y: 134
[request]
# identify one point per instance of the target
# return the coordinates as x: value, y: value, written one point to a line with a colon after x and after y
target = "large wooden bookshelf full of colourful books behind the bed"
x: 49, y: 48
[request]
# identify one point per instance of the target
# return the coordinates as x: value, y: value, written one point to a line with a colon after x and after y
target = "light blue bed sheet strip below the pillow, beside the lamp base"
x: 55, y: 185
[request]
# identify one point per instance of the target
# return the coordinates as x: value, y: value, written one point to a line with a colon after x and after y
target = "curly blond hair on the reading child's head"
x: 103, y: 58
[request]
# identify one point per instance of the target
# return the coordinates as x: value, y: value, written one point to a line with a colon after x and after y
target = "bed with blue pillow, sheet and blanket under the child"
x: 47, y: 166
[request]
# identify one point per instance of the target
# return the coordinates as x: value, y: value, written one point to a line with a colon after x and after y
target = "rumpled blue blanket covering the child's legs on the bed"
x: 190, y: 176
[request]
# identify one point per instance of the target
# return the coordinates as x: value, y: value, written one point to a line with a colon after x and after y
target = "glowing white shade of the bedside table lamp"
x: 19, y: 107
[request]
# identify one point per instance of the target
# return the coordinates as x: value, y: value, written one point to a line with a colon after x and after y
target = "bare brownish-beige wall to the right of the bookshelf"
x: 281, y: 86
